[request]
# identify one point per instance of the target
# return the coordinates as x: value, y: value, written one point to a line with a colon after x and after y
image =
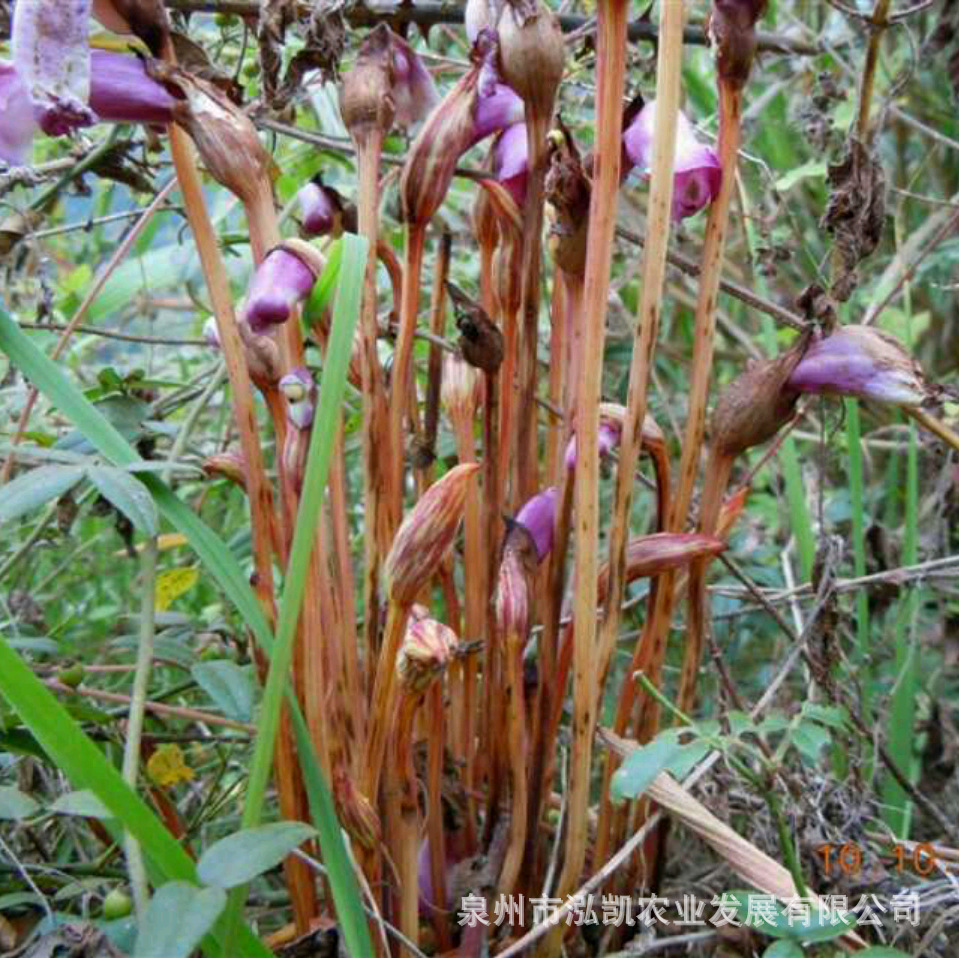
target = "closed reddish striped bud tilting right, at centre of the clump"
x: 427, y: 534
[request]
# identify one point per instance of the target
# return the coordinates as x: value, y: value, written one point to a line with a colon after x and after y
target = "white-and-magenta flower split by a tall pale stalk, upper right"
x: 697, y: 170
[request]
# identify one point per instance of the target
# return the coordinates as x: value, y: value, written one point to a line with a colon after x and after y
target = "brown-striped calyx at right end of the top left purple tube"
x: 224, y: 135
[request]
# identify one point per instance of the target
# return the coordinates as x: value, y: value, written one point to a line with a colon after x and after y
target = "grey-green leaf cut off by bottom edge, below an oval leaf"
x: 177, y: 918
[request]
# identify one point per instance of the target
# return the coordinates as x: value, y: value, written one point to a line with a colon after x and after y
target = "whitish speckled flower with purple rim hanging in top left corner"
x: 52, y: 57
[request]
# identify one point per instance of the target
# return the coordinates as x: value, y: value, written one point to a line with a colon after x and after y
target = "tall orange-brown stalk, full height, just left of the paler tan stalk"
x: 611, y: 68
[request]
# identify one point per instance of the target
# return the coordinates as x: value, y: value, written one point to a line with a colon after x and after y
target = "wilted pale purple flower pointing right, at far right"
x: 862, y: 362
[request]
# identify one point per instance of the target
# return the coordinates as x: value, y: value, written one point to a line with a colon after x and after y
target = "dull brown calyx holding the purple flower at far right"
x: 756, y: 404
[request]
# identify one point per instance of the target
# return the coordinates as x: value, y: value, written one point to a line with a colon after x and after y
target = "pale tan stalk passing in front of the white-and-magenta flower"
x: 668, y: 67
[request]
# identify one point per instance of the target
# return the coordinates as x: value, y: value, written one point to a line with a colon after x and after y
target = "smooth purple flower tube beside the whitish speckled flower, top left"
x: 122, y: 92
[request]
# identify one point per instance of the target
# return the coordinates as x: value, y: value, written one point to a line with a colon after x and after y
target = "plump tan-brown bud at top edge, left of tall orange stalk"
x: 532, y: 54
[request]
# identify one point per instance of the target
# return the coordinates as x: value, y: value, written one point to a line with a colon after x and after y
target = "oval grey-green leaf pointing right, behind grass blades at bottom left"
x: 236, y: 859
